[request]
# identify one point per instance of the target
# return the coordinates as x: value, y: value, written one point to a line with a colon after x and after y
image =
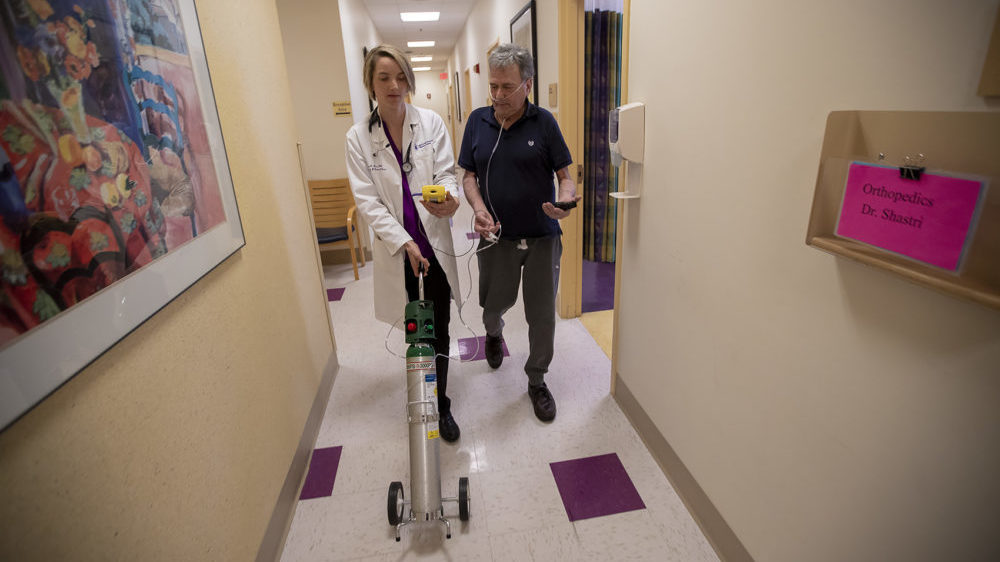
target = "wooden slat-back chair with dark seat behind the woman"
x: 333, y: 210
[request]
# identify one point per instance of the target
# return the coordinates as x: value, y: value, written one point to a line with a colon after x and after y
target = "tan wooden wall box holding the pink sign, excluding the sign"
x: 951, y: 142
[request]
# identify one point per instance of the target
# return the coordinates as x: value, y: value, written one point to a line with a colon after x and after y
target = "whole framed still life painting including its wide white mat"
x: 115, y: 190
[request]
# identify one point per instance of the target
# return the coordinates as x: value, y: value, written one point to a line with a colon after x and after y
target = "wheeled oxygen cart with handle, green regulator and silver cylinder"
x: 422, y: 416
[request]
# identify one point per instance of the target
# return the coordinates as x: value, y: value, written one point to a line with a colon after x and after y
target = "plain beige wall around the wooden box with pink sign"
x: 831, y: 411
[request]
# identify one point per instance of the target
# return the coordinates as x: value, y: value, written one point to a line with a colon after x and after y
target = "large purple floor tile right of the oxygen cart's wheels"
x: 595, y: 486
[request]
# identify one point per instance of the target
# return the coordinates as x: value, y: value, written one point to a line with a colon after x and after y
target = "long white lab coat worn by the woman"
x: 377, y: 185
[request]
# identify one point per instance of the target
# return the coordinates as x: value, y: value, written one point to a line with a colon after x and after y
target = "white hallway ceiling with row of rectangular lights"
x: 445, y: 31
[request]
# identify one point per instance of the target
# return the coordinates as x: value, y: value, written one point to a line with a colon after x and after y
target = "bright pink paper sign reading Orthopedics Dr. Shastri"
x: 927, y: 219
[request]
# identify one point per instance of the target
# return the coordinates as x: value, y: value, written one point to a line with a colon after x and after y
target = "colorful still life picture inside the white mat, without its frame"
x: 105, y: 164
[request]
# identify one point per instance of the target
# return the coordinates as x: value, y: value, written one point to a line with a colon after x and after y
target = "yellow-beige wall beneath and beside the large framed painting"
x: 174, y: 444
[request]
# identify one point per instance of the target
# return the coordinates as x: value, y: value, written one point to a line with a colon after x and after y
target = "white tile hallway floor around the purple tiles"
x: 516, y: 511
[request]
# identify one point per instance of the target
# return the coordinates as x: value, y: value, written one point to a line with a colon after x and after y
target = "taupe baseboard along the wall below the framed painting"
x: 281, y: 519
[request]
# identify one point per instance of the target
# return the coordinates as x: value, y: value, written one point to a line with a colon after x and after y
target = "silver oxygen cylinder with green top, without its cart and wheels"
x: 422, y: 415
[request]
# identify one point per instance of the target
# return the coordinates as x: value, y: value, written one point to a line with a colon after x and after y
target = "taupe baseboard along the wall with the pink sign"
x: 722, y: 538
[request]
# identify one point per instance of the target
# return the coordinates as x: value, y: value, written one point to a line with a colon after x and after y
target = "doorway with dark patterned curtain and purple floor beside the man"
x: 590, y: 282
